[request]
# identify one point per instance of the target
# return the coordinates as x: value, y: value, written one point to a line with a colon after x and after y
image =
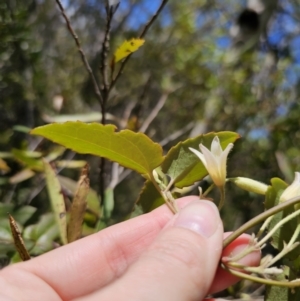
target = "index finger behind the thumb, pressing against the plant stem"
x: 90, y: 263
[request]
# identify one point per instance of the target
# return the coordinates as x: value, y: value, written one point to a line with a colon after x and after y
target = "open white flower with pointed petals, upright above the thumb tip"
x: 214, y: 160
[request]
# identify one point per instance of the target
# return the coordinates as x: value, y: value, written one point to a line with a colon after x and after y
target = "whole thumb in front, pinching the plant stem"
x: 180, y: 264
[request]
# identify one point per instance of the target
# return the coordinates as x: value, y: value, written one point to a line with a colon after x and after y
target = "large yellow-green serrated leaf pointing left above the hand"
x: 132, y: 150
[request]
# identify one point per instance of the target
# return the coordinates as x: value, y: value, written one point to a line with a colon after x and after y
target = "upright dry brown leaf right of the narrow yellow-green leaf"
x: 78, y: 206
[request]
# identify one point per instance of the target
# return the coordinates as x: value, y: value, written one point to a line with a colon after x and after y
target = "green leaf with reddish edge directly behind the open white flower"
x: 183, y: 166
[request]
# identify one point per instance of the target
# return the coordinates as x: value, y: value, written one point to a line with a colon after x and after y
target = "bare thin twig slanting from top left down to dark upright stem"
x: 82, y: 54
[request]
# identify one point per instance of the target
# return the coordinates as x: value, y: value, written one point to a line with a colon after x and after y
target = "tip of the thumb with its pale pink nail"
x: 201, y: 217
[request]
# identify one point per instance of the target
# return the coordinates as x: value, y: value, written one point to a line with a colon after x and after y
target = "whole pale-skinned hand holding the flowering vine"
x: 156, y: 256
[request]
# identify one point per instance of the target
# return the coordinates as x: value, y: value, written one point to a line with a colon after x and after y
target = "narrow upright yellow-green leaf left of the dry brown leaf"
x: 57, y: 201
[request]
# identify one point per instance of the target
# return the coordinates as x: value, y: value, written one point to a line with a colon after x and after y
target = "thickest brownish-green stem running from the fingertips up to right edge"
x: 258, y: 219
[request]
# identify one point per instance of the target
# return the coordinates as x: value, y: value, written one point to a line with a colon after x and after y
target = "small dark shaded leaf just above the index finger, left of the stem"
x: 149, y: 197
